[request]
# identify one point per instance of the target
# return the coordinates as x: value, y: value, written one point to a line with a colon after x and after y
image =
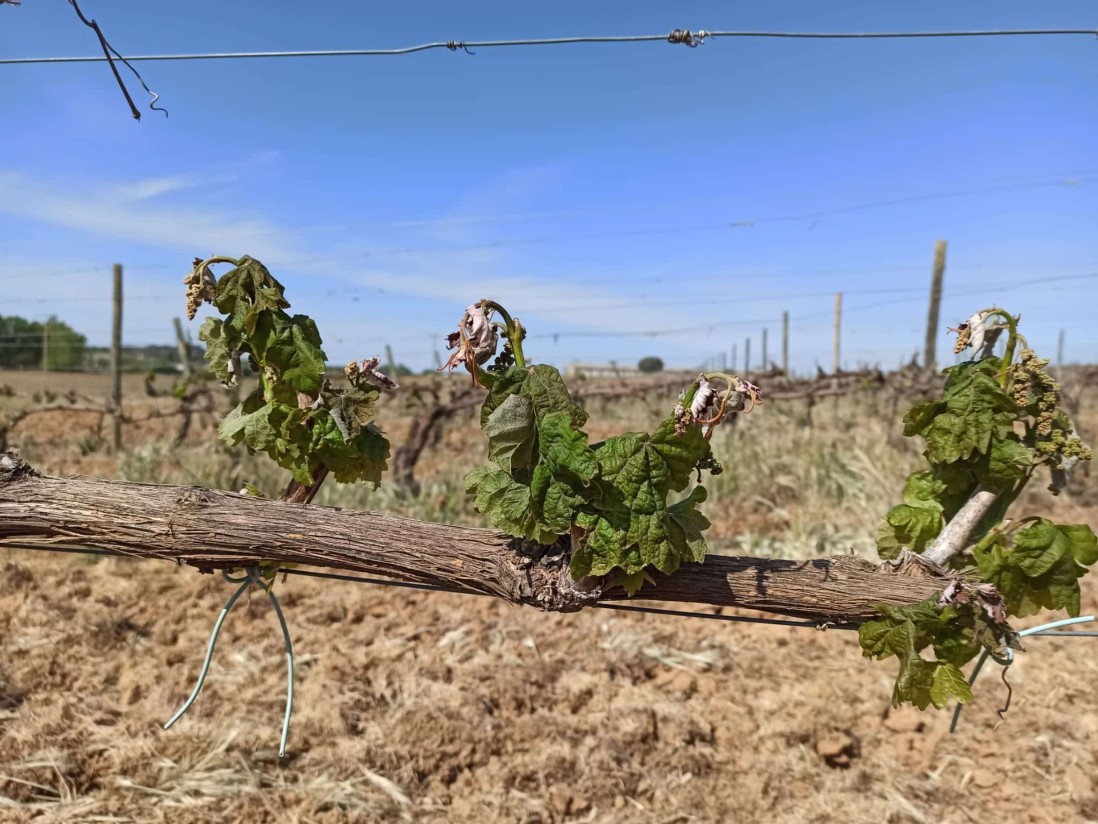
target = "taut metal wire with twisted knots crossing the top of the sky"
x: 699, y: 37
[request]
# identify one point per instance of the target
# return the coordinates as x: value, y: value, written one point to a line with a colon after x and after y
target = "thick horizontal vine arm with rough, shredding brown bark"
x: 218, y: 530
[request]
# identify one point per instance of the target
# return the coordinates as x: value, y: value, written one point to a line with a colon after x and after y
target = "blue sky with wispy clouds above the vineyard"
x: 600, y: 193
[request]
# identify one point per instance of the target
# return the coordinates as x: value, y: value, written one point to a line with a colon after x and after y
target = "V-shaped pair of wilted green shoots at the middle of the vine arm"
x: 611, y: 499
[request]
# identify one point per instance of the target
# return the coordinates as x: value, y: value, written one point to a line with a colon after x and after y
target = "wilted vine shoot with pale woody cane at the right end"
x: 1000, y: 420
